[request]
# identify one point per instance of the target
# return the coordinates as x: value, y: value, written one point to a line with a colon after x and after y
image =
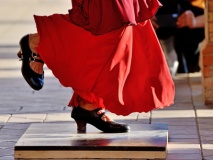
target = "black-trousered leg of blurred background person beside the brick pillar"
x: 187, y: 48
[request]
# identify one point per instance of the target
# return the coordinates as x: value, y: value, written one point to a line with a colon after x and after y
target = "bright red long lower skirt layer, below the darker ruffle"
x: 123, y: 70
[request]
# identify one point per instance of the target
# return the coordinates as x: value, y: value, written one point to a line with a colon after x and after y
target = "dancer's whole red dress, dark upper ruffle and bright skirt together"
x: 108, y: 53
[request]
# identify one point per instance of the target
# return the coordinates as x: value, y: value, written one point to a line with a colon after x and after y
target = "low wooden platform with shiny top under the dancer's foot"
x: 60, y: 141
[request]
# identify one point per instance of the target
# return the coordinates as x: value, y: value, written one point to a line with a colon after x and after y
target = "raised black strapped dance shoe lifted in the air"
x: 35, y: 80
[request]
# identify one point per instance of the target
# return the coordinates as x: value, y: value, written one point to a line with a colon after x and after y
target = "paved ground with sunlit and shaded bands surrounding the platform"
x: 190, y: 121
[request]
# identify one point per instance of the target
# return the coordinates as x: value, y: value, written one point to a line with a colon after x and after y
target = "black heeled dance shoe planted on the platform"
x: 82, y: 117
